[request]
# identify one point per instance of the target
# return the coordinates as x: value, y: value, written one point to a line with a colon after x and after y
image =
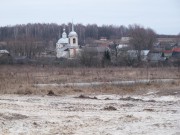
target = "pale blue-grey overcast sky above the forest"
x: 163, y: 16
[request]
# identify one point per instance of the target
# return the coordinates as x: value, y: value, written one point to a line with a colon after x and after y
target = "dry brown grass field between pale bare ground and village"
x: 20, y: 79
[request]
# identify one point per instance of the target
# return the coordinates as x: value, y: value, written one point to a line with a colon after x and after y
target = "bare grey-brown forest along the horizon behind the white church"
x: 46, y: 32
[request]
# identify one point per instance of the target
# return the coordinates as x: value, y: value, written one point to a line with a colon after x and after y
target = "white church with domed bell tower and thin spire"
x: 67, y: 47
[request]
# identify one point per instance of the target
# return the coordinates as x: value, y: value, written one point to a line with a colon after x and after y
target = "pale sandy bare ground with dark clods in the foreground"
x: 147, y: 114
